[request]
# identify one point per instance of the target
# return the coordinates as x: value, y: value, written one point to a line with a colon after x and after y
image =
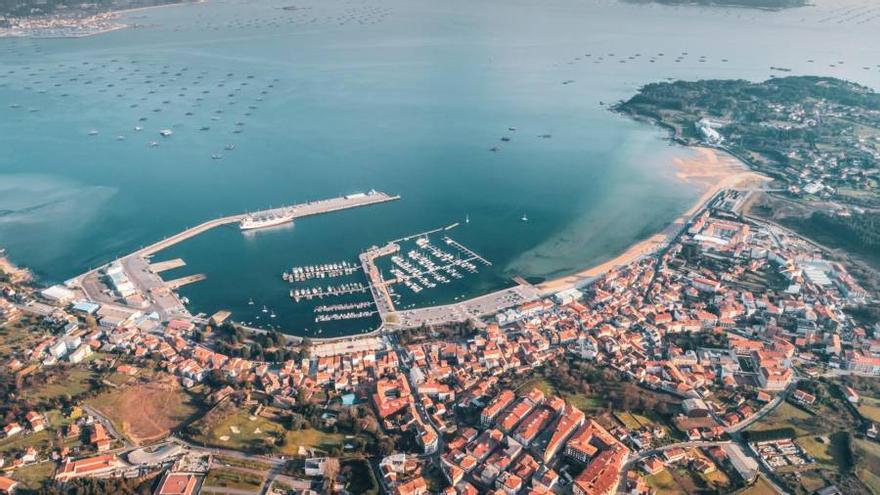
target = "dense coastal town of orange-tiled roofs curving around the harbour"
x: 730, y: 359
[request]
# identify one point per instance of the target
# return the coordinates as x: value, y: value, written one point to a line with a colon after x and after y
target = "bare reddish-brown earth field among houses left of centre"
x: 146, y: 412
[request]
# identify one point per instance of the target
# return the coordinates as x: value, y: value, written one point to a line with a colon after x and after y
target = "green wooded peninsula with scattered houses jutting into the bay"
x: 818, y: 137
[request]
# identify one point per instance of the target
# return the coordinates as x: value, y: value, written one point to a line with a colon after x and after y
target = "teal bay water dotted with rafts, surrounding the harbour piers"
x: 275, y: 102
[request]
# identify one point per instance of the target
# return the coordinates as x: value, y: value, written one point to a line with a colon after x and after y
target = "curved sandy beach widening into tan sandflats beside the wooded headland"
x: 711, y: 170
